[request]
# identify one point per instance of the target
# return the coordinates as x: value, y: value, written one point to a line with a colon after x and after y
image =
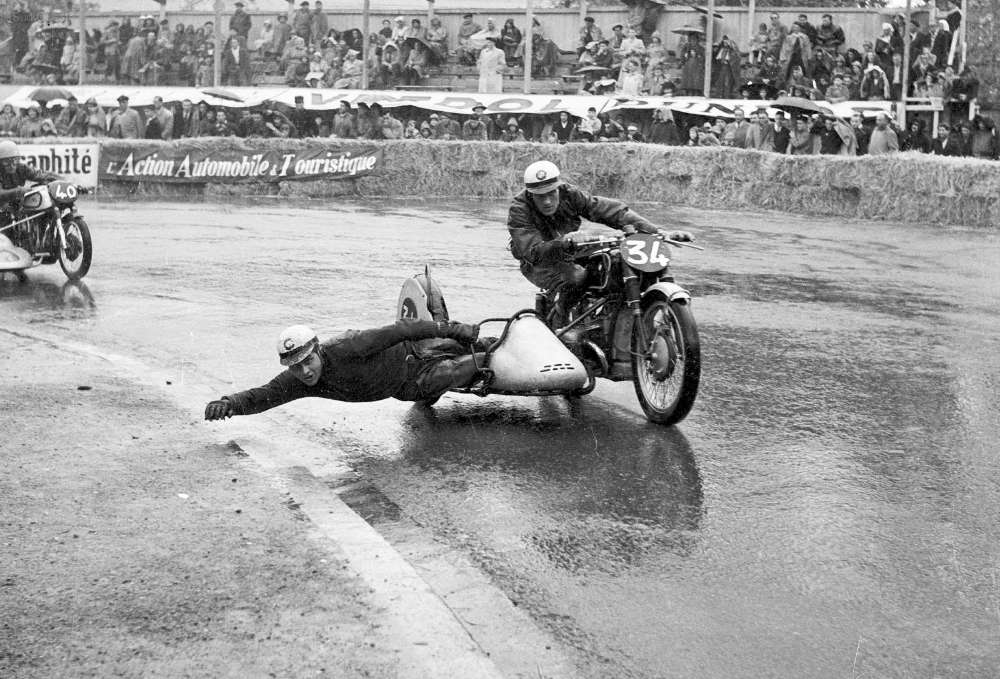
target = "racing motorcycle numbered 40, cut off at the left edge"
x: 47, y: 228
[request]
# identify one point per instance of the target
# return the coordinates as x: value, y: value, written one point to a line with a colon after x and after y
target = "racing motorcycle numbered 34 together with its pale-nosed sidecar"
x: 633, y: 322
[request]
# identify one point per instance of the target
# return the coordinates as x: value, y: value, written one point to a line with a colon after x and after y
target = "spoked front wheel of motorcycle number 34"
x: 667, y: 367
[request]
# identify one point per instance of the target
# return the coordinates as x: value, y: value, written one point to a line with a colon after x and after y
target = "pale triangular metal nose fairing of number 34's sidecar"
x: 530, y: 359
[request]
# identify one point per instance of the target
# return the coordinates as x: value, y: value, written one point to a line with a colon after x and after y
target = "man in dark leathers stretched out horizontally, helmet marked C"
x: 410, y: 360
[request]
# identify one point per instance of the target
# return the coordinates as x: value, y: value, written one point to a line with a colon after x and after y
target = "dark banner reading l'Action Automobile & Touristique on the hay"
x: 186, y: 164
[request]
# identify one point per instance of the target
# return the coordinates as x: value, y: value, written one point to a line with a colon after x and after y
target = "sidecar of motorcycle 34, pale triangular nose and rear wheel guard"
x: 527, y: 359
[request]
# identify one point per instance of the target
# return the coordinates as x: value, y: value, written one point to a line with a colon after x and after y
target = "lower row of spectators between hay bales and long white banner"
x: 785, y: 133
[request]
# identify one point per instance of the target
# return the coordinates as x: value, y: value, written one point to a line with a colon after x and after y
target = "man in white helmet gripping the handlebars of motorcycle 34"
x: 544, y: 222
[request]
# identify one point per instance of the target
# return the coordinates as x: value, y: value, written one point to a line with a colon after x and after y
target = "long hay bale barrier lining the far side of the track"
x: 904, y: 187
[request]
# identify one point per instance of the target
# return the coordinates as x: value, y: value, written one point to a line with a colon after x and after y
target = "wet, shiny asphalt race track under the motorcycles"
x: 831, y: 507
